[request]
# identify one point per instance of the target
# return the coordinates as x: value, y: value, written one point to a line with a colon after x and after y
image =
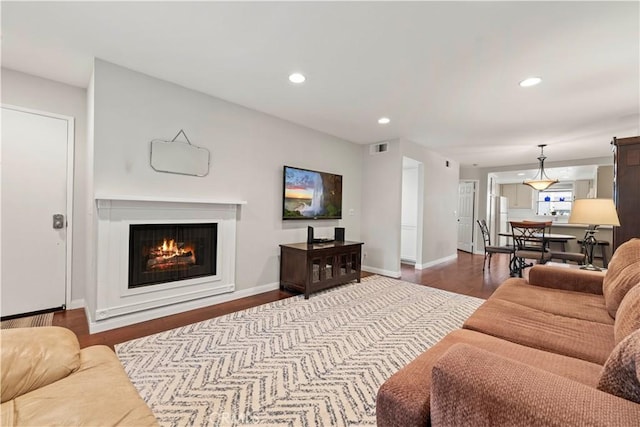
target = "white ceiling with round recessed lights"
x: 446, y: 73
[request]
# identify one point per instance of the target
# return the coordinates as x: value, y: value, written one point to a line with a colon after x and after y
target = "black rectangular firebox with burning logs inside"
x: 161, y: 253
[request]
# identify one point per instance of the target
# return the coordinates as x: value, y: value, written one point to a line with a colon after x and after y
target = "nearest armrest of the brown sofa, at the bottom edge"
x: 472, y: 387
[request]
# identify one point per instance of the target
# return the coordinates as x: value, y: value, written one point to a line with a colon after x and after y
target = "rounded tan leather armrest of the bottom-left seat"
x: 35, y: 357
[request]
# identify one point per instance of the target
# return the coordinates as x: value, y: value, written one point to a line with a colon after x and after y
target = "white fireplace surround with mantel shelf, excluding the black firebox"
x: 118, y: 305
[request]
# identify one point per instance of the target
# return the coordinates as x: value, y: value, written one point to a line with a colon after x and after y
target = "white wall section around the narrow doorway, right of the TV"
x: 382, y: 207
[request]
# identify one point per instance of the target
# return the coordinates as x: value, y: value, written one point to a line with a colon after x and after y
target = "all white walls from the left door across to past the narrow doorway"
x: 128, y: 109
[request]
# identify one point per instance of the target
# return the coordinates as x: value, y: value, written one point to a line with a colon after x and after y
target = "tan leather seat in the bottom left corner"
x: 47, y: 380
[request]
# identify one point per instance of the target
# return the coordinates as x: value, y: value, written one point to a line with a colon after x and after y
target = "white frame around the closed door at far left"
x: 70, y: 181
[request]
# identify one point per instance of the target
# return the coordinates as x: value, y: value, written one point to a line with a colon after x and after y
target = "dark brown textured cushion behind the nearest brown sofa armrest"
x: 621, y: 373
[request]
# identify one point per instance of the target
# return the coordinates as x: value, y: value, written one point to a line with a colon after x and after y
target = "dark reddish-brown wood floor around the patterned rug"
x: 463, y: 275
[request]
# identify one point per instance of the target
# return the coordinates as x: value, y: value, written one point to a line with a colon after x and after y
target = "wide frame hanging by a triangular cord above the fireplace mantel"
x: 179, y: 157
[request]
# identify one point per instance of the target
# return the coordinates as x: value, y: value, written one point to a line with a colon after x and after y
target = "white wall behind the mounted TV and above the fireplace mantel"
x: 248, y: 151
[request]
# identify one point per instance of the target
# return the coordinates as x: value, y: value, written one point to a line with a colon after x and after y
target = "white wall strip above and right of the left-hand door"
x: 33, y: 92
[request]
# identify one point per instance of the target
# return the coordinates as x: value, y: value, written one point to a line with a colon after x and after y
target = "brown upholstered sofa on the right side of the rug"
x: 561, y: 348
